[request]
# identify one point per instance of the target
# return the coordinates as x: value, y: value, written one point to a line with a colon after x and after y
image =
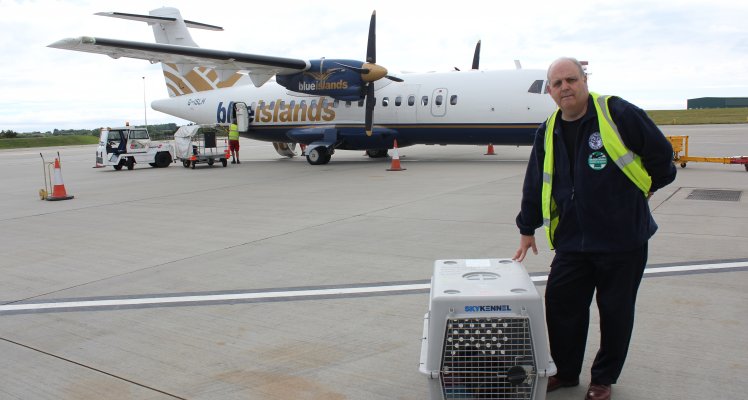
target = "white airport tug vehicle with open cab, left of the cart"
x: 127, y: 146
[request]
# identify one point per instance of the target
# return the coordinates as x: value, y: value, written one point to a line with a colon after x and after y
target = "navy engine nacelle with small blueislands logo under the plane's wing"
x: 327, y: 78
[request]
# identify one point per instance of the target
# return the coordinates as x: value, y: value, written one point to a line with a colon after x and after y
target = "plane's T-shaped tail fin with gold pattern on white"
x: 170, y: 28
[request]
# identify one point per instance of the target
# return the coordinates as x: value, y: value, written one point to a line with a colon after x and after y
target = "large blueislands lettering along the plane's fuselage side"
x: 280, y: 111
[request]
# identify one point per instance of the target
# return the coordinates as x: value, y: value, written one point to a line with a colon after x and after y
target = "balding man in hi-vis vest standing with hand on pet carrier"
x: 593, y: 166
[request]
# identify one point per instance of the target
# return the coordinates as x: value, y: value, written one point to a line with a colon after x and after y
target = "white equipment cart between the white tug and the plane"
x: 198, y: 144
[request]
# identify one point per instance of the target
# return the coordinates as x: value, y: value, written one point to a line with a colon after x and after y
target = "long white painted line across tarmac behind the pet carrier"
x: 318, y: 293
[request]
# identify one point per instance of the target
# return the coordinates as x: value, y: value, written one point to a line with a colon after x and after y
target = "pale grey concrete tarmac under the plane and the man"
x: 275, y: 279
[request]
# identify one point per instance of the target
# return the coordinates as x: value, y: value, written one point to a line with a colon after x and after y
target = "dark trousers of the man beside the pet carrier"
x: 573, y: 279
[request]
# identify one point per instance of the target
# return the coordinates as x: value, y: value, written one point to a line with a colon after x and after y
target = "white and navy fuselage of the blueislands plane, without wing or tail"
x: 470, y: 107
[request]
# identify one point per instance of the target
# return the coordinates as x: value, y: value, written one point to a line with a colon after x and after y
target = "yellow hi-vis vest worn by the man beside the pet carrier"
x: 627, y: 161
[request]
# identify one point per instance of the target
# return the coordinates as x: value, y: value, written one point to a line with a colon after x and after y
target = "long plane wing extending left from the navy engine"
x: 260, y: 68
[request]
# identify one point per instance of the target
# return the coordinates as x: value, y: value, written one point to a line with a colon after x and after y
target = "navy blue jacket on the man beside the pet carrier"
x: 601, y: 210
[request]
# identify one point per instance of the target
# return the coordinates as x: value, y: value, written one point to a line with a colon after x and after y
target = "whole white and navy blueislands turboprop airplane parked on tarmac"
x: 330, y: 104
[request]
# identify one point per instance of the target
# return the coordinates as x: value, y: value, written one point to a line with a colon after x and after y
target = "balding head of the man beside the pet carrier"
x: 567, y: 85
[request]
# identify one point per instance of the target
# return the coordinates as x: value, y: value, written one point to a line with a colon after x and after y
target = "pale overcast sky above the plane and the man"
x: 654, y: 54
